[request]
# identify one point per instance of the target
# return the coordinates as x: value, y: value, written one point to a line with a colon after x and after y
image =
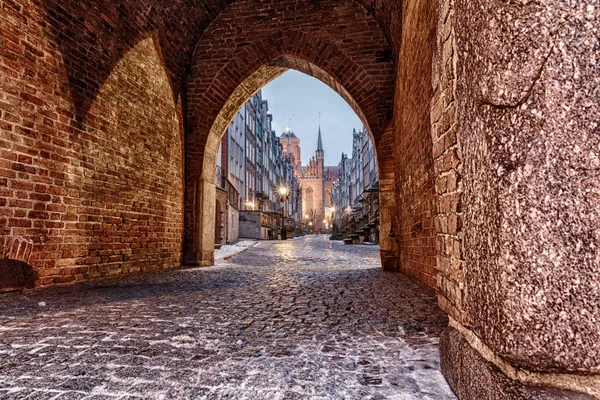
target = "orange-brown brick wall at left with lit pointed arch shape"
x: 87, y: 188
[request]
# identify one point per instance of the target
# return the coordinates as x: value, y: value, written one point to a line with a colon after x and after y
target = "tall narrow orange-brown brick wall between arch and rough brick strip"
x: 415, y: 178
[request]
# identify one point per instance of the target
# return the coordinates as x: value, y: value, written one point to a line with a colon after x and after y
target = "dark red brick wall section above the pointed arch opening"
x: 351, y: 55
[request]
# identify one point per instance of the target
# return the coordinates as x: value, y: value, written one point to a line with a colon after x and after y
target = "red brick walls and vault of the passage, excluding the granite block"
x: 95, y: 95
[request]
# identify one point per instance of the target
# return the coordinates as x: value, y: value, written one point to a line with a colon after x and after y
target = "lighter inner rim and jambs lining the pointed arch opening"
x: 201, y: 188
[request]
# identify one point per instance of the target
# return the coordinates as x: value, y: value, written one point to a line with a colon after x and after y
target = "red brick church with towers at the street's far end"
x: 316, y: 179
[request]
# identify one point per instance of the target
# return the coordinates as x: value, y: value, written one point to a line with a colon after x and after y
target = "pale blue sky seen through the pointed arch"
x: 300, y: 97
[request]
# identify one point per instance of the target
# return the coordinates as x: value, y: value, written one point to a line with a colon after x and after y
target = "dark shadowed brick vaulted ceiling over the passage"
x: 93, y: 35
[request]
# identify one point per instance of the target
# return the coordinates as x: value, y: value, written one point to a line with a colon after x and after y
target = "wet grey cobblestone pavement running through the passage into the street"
x: 302, y: 319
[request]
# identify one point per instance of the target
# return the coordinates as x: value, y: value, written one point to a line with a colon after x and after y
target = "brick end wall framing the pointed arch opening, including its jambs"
x: 237, y: 56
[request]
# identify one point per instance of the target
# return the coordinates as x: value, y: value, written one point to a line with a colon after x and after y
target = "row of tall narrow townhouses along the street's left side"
x: 251, y: 166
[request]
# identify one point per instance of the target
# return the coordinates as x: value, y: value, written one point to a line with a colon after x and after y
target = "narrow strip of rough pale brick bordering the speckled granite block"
x: 448, y: 167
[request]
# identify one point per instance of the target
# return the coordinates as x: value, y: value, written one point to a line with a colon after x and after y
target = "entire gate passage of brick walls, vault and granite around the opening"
x: 482, y: 114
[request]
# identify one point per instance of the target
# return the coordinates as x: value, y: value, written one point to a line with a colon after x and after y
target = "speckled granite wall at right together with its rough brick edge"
x: 518, y: 150
